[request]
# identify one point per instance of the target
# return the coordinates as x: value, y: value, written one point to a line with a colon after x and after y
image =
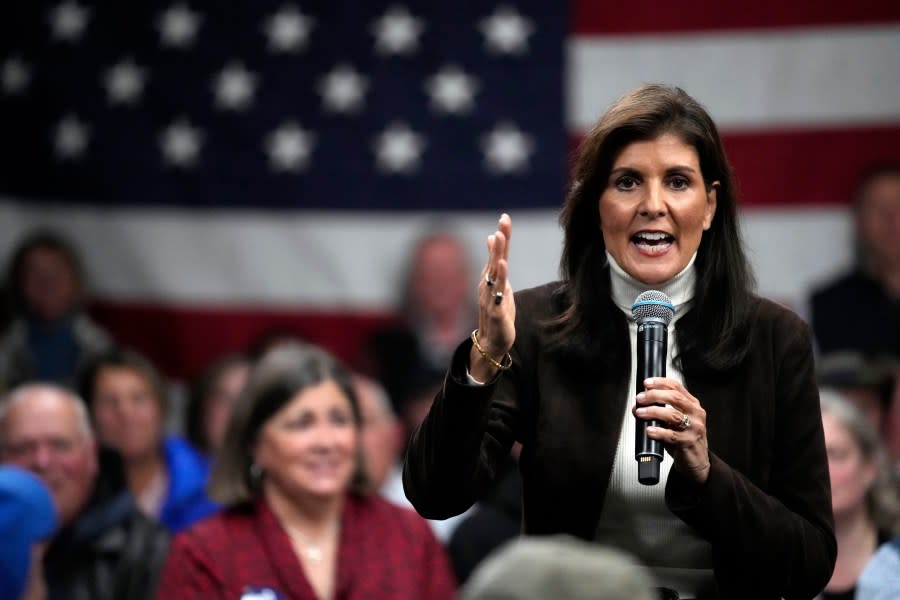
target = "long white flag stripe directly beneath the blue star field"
x: 355, y: 261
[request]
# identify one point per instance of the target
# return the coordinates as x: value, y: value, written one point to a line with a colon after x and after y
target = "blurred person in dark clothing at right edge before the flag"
x: 860, y: 311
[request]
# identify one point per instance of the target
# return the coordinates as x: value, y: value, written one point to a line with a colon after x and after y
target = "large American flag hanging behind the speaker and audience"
x: 228, y: 168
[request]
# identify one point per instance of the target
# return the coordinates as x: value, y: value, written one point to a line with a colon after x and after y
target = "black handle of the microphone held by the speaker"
x: 651, y: 362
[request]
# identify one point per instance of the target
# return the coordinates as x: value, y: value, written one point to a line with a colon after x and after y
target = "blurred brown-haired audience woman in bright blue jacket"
x: 127, y: 402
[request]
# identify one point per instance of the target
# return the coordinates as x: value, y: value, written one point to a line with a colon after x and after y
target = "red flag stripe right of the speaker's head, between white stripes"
x: 805, y: 167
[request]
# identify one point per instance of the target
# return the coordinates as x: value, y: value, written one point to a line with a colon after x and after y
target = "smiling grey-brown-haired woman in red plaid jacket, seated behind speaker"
x: 300, y: 522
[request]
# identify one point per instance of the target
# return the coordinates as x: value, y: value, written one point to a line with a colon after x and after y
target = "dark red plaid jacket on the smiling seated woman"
x: 386, y: 553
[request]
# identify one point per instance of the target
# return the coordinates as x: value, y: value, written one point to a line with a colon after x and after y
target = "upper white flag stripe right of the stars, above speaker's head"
x: 819, y: 76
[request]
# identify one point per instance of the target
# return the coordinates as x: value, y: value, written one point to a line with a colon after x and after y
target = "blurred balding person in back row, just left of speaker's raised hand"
x: 436, y: 311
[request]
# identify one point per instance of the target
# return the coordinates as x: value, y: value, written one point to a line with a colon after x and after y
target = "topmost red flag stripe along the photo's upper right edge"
x: 651, y: 16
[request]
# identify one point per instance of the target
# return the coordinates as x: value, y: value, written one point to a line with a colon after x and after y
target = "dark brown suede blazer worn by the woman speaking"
x: 766, y: 506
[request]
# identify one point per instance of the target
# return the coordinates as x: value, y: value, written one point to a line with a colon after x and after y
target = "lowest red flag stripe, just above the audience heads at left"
x: 180, y: 341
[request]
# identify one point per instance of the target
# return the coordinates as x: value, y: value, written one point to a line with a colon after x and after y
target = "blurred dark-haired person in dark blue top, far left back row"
x: 50, y: 337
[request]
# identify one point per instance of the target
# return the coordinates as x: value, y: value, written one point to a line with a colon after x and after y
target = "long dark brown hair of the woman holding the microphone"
x: 724, y: 278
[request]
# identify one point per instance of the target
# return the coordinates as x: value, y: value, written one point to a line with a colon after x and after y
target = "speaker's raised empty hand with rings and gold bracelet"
x: 496, y: 318
